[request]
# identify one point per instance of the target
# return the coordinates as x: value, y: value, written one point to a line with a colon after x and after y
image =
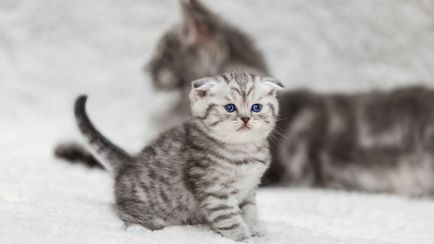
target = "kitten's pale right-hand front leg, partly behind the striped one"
x: 250, y: 214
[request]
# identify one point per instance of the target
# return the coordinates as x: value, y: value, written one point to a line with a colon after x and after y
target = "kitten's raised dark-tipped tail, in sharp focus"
x: 110, y: 155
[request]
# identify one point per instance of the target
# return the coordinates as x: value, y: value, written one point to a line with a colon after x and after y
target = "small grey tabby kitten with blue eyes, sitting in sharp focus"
x: 204, y: 171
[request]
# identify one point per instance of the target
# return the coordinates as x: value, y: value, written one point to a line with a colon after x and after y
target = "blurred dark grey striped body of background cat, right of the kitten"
x: 373, y: 141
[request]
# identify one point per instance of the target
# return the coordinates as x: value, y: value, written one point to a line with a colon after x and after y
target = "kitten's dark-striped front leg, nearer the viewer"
x: 223, y: 214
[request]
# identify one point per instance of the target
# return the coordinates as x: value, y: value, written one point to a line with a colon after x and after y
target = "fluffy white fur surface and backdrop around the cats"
x: 50, y: 51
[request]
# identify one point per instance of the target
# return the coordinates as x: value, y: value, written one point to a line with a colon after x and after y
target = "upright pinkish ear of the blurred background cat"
x: 196, y: 21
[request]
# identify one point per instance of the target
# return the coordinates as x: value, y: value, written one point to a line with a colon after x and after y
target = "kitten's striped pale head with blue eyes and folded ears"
x: 235, y: 107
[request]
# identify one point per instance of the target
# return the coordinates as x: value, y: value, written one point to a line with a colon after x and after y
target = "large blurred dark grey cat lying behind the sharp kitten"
x: 373, y: 142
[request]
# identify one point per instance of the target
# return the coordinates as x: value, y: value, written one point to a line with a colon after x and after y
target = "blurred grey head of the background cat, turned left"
x: 201, y: 45
